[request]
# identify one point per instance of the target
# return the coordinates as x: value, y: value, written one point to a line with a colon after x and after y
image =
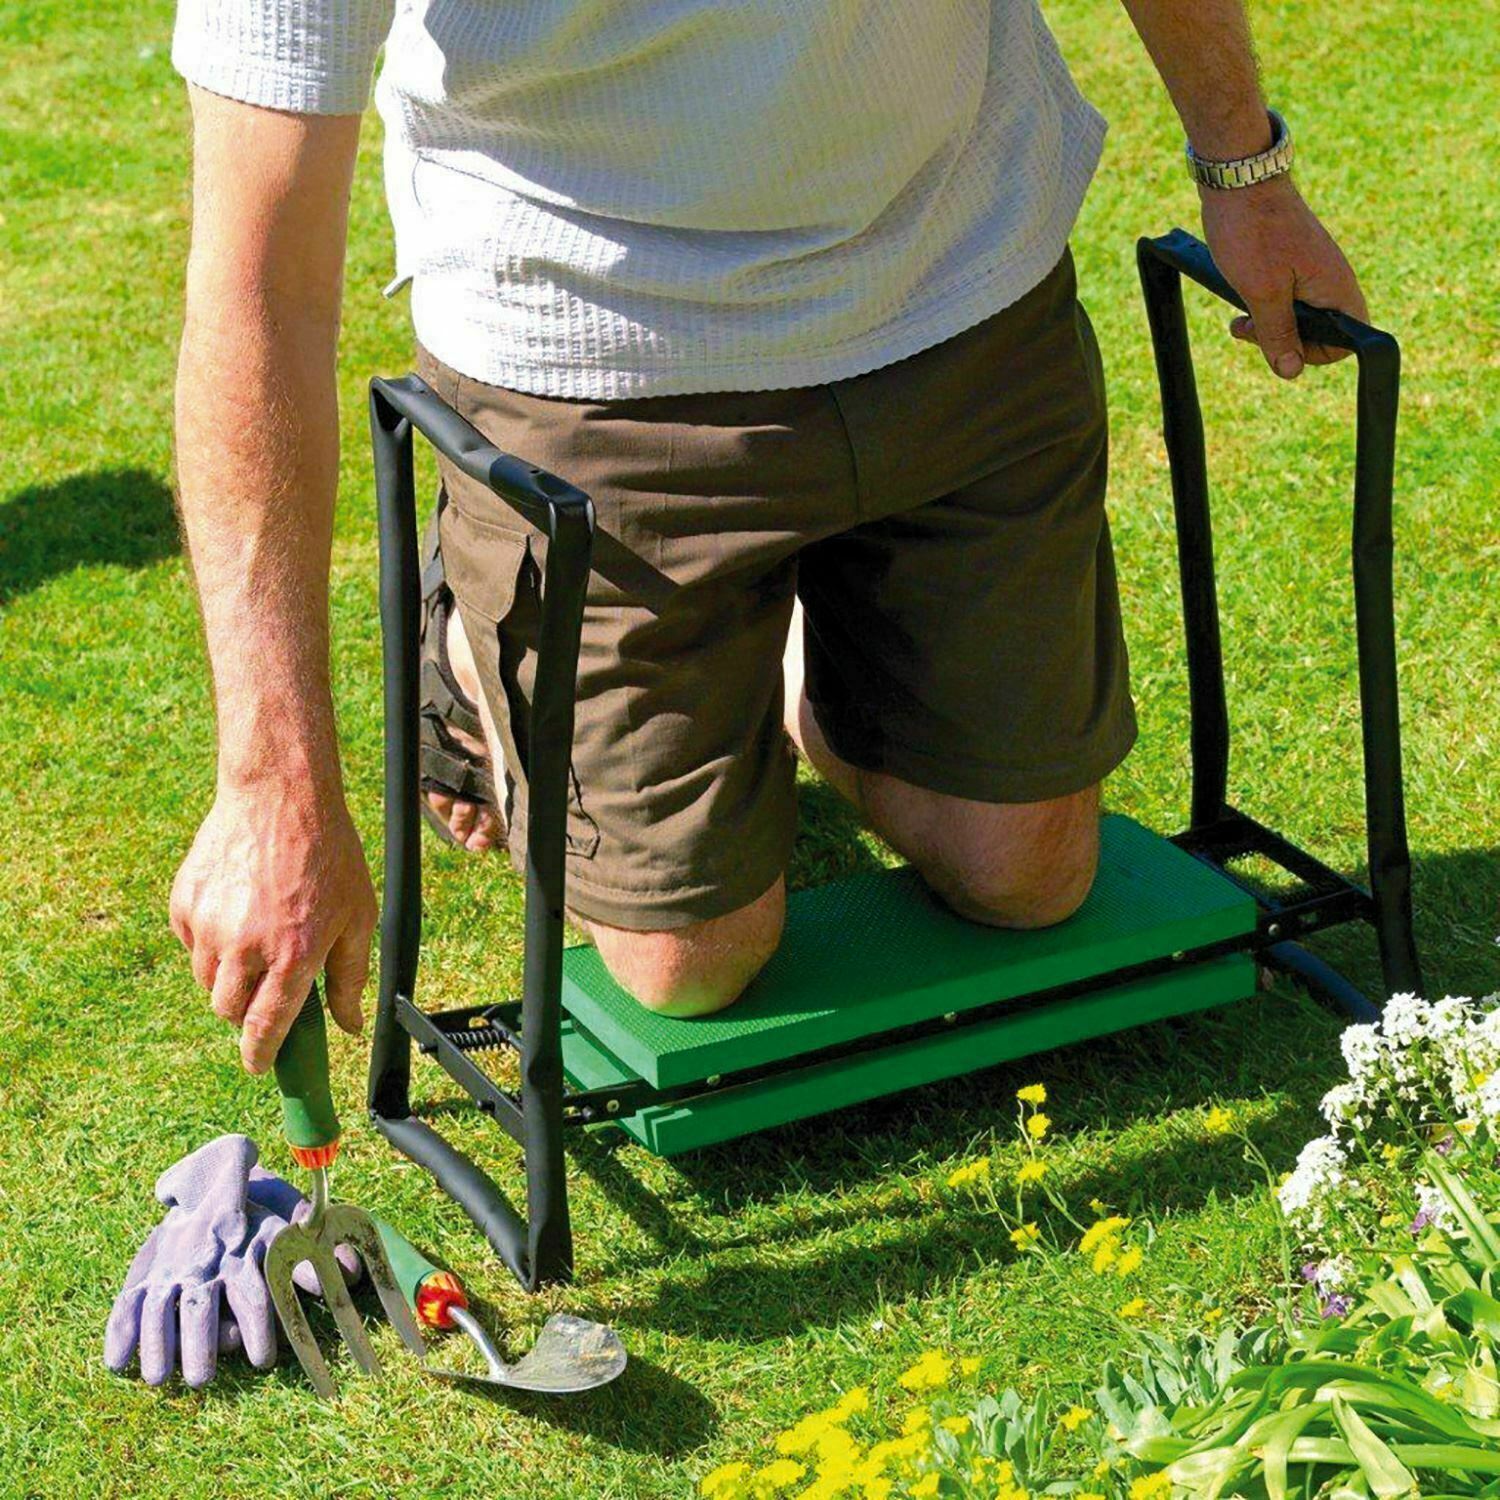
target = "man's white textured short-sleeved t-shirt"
x: 610, y: 199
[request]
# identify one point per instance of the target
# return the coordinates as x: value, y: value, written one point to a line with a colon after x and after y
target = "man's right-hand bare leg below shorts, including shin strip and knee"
x: 1024, y: 865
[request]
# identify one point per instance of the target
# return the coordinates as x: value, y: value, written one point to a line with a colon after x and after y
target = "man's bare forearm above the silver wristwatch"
x: 1202, y: 49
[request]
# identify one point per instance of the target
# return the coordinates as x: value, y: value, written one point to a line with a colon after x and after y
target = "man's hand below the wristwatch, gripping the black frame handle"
x: 1273, y: 250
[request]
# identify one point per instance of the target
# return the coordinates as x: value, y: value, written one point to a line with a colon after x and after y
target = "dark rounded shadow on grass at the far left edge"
x: 113, y: 517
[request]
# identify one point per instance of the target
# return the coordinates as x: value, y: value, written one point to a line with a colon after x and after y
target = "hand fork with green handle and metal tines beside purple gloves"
x: 313, y: 1132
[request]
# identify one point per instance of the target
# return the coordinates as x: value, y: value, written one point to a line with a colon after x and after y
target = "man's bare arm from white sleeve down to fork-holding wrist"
x: 257, y: 428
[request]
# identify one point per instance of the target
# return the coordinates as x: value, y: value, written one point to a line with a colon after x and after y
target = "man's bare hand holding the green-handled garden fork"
x: 274, y: 893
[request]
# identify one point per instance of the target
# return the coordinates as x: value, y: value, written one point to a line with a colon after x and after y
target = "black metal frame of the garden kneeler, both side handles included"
x: 539, y: 1247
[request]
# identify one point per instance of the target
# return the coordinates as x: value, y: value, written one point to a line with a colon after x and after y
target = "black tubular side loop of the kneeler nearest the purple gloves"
x: 541, y: 1247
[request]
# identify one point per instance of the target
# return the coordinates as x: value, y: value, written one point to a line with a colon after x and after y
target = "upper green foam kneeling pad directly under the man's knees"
x: 877, y: 952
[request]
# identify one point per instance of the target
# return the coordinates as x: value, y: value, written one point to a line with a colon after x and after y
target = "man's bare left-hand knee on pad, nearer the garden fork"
x: 697, y: 970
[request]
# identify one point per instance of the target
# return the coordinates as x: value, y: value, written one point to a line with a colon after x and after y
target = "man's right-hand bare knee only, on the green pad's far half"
x: 1024, y: 868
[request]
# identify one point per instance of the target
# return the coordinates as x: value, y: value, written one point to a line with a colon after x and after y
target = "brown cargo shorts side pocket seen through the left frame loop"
x: 496, y: 575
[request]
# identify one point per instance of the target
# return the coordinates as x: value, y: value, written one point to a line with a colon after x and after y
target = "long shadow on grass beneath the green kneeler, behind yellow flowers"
x: 1112, y: 1084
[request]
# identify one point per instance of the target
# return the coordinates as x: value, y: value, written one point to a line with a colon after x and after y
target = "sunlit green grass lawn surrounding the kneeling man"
x: 755, y: 1282
